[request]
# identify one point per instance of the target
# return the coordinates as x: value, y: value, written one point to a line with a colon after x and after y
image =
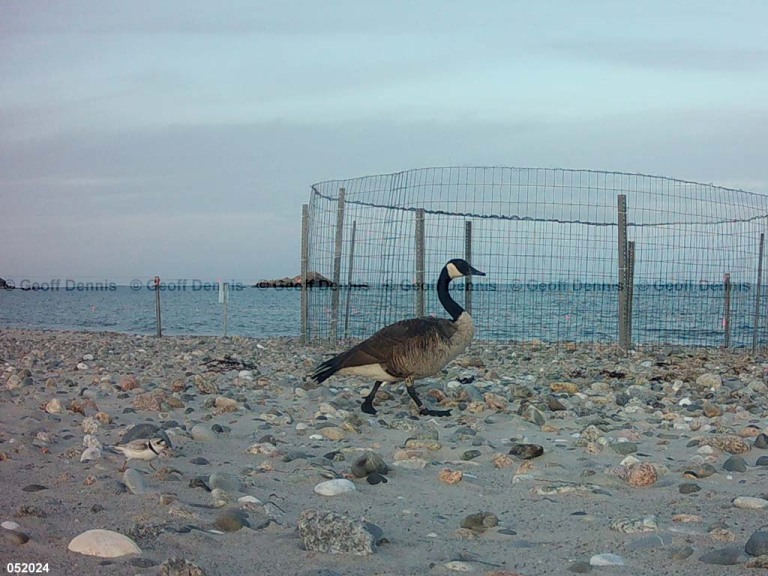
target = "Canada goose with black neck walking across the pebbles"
x: 409, y: 349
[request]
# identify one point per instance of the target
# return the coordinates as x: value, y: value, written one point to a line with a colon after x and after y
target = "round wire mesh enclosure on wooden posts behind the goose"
x: 561, y: 265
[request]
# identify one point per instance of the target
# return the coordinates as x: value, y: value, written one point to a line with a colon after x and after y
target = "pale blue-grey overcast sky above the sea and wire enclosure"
x: 181, y: 138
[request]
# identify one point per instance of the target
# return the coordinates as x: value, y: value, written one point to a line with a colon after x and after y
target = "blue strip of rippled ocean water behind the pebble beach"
x: 561, y: 313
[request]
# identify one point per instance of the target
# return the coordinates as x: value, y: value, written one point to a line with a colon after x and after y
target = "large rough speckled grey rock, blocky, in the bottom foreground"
x: 326, y: 531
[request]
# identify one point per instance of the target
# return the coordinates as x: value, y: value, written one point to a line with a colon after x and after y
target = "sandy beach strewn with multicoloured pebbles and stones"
x: 557, y: 459
